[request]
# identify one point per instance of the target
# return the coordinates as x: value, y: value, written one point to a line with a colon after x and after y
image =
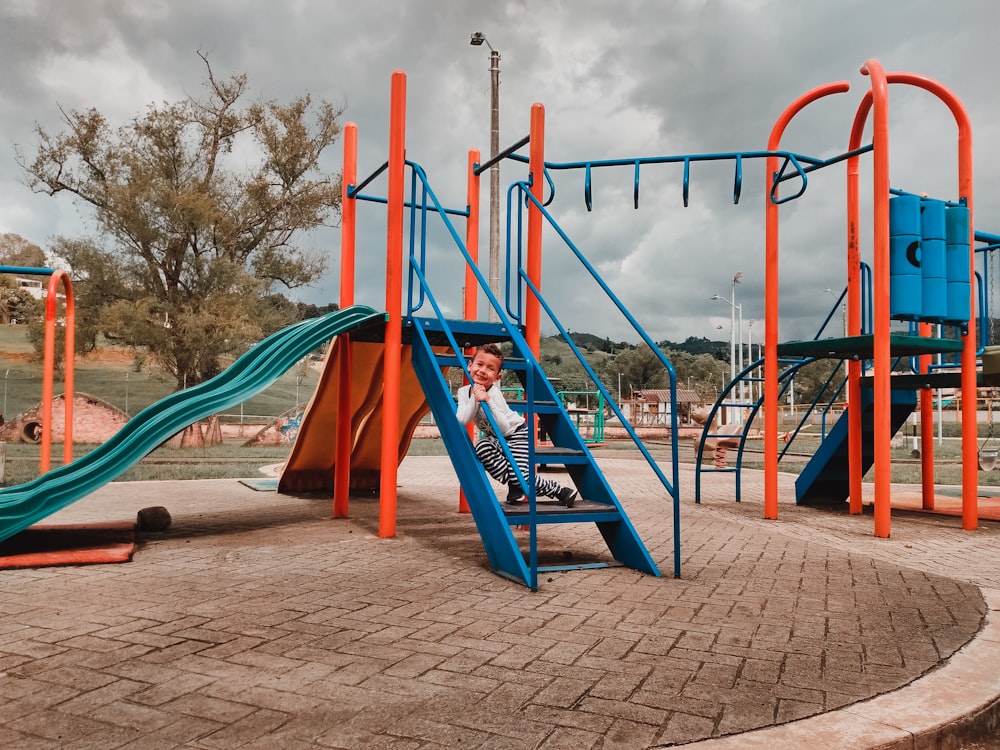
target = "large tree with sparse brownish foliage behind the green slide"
x: 193, y: 239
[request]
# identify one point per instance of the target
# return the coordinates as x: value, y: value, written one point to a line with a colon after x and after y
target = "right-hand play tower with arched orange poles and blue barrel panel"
x: 922, y: 272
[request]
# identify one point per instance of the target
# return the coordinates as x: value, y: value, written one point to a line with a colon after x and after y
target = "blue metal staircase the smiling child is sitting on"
x: 434, y: 346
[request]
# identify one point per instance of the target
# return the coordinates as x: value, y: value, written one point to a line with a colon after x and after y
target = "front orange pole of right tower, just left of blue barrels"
x: 881, y: 354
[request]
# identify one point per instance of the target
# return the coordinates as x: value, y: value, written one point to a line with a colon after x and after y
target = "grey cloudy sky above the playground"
x: 621, y: 79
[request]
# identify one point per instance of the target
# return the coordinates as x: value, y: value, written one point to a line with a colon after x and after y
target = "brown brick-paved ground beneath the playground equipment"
x: 257, y: 622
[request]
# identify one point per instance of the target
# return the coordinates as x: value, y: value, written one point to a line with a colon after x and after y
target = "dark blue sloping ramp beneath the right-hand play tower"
x: 825, y: 479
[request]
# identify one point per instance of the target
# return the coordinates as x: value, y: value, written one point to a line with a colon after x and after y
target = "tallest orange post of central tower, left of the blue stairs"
x: 393, y: 350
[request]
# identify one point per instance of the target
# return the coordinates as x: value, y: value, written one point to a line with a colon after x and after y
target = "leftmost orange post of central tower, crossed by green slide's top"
x: 348, y: 235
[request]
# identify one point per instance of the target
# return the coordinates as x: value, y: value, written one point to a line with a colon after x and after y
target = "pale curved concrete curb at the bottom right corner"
x: 960, y: 701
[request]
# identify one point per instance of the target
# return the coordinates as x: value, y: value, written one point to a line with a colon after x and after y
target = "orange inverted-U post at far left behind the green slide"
x: 48, y: 368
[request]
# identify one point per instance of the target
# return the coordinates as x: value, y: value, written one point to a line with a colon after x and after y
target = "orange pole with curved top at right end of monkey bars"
x: 771, y: 298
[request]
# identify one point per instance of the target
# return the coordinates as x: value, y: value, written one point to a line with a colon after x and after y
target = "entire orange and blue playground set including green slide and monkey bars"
x: 386, y: 370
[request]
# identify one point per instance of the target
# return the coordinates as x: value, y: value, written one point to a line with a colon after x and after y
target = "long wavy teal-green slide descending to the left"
x: 268, y: 360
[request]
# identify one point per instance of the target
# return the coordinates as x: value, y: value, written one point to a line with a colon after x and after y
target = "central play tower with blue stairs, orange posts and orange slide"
x: 386, y: 380
